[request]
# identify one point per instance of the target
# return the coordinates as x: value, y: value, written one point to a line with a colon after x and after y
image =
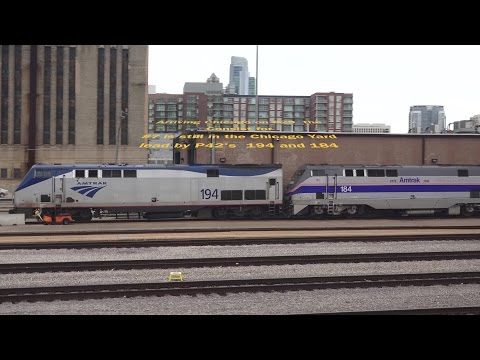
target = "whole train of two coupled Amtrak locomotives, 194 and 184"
x: 252, y: 191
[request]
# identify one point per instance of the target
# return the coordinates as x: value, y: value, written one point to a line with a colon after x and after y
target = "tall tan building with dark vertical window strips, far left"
x: 71, y: 104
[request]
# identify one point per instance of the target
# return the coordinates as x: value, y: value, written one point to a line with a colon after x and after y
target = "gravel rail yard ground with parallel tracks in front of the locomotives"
x: 246, y: 263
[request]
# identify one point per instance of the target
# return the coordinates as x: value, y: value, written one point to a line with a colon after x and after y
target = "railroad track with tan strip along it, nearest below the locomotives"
x: 191, y: 237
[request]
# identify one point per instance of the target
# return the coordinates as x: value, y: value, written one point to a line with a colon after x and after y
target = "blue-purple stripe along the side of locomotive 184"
x: 387, y: 188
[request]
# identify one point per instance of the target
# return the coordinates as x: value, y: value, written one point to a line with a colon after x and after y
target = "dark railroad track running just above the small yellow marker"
x: 232, y: 262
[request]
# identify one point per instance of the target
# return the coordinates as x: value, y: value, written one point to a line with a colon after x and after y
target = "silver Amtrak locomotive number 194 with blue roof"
x: 217, y: 191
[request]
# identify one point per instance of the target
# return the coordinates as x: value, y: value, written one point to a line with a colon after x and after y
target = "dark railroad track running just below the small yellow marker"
x: 223, y: 287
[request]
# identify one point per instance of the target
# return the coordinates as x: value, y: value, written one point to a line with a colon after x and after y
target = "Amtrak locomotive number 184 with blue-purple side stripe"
x: 319, y: 190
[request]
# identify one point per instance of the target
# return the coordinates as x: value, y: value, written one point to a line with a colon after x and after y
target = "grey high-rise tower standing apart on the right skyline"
x: 426, y: 119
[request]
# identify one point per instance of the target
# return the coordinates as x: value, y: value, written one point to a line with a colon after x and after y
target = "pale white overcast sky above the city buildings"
x: 385, y: 80
